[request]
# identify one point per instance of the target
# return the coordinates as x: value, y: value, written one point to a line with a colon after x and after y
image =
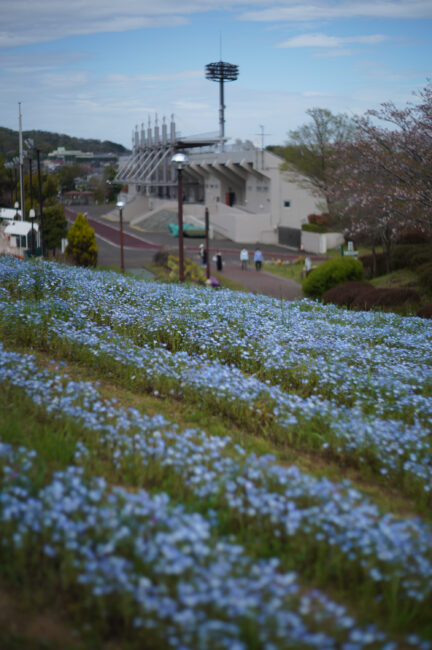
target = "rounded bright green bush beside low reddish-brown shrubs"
x: 331, y: 273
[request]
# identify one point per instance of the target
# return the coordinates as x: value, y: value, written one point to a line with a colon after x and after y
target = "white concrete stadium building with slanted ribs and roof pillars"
x: 249, y: 198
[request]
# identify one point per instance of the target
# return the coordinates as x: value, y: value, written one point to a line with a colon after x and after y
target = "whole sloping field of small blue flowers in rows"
x: 294, y: 511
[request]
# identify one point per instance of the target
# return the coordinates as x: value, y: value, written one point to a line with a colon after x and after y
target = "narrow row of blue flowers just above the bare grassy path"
x: 227, y: 385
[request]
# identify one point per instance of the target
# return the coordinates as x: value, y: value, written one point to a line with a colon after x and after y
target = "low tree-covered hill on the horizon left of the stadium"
x: 46, y: 141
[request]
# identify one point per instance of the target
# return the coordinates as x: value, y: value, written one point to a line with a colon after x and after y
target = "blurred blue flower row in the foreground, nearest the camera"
x: 193, y: 591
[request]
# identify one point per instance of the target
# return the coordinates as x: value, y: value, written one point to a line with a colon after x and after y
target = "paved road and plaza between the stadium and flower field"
x: 140, y: 247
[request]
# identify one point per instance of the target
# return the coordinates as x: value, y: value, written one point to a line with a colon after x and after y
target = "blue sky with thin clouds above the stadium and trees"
x: 98, y: 68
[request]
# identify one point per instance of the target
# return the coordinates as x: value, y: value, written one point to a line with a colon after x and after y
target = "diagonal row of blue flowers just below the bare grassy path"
x: 292, y: 502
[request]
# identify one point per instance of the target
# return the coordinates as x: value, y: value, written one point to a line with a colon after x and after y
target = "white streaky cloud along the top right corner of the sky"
x: 325, y: 10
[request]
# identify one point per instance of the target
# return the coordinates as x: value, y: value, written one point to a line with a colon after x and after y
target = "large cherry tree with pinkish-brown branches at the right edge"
x: 384, y: 184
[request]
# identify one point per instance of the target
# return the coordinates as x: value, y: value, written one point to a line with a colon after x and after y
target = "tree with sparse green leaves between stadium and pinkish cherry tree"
x: 309, y: 150
